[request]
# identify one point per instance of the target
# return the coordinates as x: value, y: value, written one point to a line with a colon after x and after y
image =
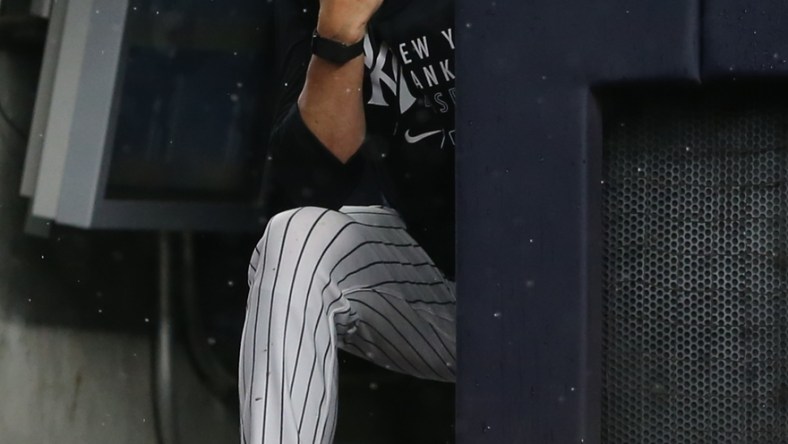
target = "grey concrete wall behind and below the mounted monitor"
x: 76, y: 316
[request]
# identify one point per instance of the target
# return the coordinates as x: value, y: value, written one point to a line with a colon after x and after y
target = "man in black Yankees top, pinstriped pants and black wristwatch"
x: 367, y: 91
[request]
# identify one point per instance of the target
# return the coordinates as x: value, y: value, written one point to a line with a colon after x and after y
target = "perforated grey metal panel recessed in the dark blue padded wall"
x: 696, y: 260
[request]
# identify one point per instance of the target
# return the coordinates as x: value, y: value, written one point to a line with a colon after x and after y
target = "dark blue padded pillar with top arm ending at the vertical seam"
x: 528, y: 173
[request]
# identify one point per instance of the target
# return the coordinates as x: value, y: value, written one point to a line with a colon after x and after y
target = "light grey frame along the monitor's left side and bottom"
x: 76, y: 156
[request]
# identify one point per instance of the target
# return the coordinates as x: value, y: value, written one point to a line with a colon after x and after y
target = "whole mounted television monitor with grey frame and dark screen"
x: 158, y: 116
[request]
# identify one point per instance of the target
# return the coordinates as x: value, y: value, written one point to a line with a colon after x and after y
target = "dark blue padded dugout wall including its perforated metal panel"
x: 621, y: 186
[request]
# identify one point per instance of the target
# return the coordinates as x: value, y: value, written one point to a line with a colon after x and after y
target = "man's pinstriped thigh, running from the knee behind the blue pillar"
x: 400, y: 307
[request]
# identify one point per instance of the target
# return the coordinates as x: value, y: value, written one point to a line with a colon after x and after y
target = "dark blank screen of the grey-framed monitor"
x: 192, y: 108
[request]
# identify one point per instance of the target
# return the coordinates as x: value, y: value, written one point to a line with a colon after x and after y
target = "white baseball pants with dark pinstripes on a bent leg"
x: 322, y: 279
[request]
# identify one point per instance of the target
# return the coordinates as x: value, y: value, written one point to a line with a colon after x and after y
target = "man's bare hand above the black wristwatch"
x: 346, y: 20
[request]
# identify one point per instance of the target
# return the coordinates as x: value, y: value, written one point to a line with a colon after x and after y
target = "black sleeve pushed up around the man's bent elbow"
x: 300, y: 171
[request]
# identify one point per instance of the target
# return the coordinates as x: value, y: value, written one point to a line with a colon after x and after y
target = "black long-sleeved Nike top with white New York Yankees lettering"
x: 410, y: 98
